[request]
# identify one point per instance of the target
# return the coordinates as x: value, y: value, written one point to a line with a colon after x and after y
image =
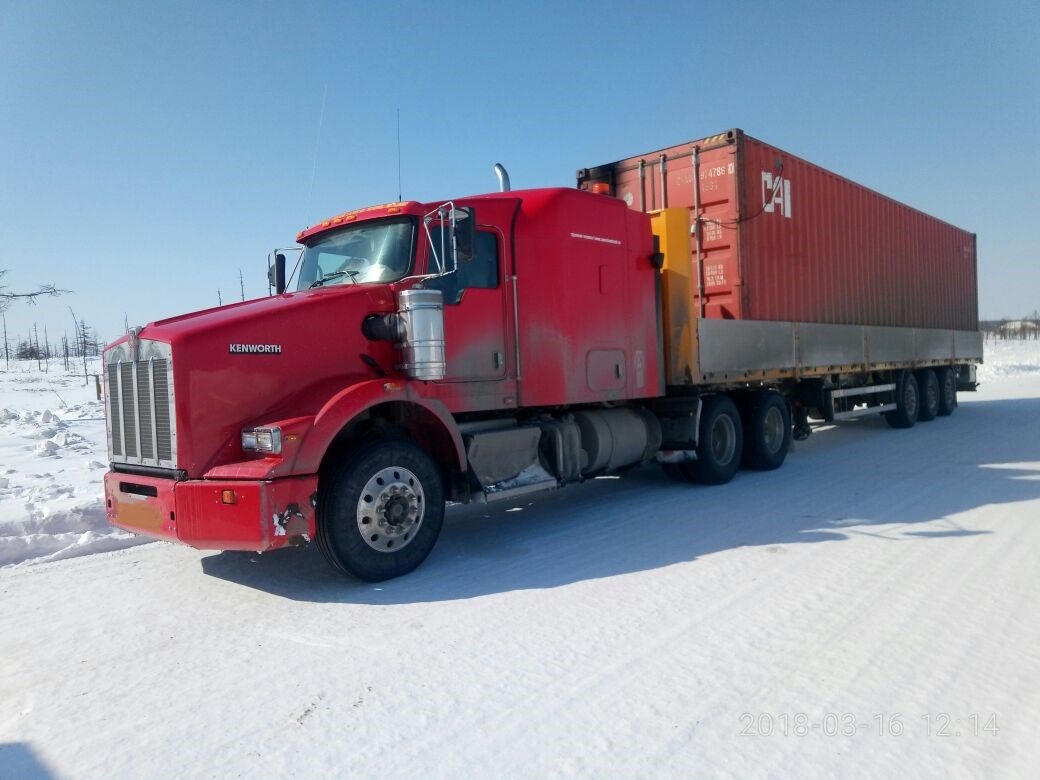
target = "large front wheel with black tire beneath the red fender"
x: 380, y: 510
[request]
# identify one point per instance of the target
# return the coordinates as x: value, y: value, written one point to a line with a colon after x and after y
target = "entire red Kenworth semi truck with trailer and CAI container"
x: 693, y: 307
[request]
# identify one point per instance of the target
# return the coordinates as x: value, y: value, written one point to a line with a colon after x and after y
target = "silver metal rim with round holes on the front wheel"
x: 392, y: 509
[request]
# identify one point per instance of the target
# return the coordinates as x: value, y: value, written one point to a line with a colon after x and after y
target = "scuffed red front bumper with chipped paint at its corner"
x: 265, y: 515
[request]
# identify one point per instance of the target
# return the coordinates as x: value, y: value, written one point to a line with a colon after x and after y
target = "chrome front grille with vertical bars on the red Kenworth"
x: 140, y: 406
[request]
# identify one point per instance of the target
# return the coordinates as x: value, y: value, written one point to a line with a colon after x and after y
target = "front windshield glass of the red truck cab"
x: 370, y: 252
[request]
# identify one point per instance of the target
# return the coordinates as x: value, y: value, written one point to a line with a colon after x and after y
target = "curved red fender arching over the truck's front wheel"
x: 347, y: 405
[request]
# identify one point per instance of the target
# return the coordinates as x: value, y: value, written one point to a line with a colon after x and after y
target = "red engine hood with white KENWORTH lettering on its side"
x: 264, y: 360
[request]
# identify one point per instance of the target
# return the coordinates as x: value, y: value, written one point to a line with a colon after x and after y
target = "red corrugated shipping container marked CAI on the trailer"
x: 785, y: 240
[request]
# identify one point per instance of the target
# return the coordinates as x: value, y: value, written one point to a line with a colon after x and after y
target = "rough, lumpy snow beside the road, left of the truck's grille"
x: 53, y: 459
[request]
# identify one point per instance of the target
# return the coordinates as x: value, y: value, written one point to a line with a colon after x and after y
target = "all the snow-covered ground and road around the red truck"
x: 869, y: 611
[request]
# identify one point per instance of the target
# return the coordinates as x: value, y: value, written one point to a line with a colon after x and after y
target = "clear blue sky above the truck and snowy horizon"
x: 150, y: 151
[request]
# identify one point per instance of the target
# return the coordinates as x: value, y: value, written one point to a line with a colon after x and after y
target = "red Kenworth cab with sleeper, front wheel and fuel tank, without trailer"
x: 475, y: 350
